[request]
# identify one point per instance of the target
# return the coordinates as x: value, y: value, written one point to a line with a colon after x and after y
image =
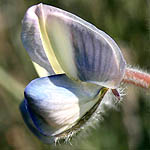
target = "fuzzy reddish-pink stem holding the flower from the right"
x: 136, y: 77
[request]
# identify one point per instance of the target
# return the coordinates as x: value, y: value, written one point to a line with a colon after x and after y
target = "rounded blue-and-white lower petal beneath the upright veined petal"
x: 57, y: 103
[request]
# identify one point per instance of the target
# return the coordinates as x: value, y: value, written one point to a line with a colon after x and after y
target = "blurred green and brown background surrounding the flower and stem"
x: 128, y: 22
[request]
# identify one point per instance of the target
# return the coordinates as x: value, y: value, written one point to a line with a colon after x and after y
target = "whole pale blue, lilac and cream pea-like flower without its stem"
x: 83, y: 64
